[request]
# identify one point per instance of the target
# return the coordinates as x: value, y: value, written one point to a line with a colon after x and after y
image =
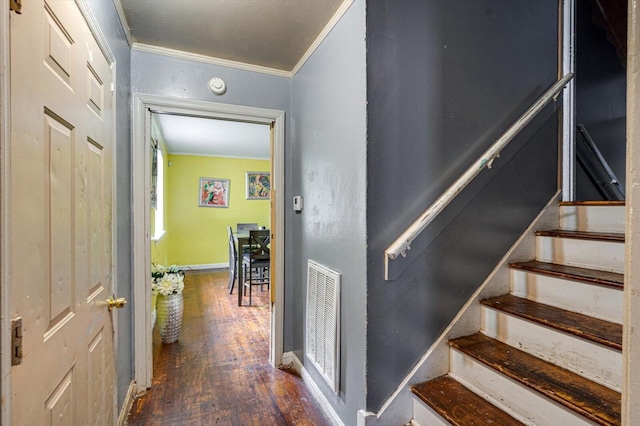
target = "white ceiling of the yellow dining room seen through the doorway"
x: 206, y: 136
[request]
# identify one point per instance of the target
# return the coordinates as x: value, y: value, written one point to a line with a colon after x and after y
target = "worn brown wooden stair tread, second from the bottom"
x: 592, y: 400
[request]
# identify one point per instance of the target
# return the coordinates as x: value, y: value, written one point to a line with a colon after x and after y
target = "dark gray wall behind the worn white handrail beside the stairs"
x: 444, y: 80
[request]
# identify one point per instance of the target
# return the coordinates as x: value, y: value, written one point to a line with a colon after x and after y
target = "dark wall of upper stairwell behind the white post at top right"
x: 601, y: 97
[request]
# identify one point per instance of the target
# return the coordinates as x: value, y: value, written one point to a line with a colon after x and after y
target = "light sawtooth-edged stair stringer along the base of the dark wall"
x: 435, y: 362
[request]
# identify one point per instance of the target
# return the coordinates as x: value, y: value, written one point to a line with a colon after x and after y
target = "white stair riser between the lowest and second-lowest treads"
x: 519, y: 401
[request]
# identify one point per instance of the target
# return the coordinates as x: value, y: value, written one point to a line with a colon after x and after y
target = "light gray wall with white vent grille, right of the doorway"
x: 328, y: 168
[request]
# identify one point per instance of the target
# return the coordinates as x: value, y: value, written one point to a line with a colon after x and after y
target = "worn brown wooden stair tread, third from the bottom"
x: 594, y: 329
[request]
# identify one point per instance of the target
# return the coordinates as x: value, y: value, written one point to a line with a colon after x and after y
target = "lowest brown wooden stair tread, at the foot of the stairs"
x: 460, y: 406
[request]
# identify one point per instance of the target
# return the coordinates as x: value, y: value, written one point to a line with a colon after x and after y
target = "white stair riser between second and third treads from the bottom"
x: 596, y: 362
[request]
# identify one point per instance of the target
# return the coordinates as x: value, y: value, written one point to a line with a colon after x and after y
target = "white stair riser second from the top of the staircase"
x: 604, y: 255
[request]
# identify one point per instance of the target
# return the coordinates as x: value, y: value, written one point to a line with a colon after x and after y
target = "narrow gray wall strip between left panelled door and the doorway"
x: 107, y: 17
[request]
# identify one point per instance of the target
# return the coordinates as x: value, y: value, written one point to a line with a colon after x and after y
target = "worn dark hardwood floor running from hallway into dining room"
x: 218, y: 372
